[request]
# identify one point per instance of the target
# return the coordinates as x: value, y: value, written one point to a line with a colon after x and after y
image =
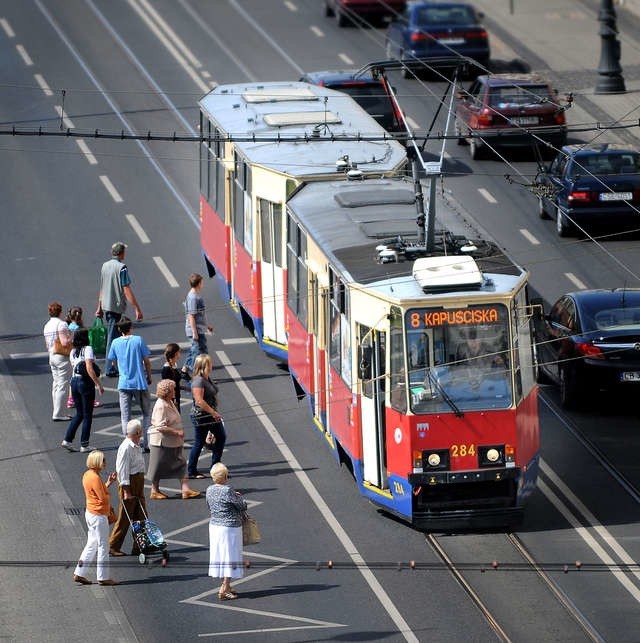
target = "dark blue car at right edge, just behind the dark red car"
x: 591, y: 185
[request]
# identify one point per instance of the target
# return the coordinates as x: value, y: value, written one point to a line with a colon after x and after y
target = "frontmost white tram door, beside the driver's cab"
x: 371, y: 376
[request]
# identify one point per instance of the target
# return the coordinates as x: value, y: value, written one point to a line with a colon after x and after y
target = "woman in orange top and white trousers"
x: 99, y: 515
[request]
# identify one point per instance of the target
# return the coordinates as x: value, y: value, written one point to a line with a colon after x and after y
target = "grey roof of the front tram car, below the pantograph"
x: 348, y: 219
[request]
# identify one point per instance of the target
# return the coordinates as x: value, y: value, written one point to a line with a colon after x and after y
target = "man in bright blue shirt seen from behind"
x: 132, y: 356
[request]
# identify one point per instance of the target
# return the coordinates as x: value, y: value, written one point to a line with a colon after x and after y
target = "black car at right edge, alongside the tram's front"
x: 590, y: 340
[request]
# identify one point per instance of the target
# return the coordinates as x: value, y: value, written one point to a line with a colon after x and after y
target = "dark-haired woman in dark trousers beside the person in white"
x: 84, y: 382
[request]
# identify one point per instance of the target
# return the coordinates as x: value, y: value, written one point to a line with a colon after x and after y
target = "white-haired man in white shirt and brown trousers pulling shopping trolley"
x: 130, y: 470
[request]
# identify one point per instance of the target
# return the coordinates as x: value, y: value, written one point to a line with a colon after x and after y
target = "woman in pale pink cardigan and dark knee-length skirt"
x: 166, y: 440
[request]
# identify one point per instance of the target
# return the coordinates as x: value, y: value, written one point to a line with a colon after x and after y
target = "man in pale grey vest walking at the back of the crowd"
x: 115, y: 291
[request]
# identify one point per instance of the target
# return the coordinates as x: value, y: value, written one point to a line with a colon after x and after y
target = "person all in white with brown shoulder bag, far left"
x: 57, y: 339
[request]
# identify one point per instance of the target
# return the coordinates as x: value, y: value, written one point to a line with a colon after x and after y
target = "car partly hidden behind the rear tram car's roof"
x: 369, y: 92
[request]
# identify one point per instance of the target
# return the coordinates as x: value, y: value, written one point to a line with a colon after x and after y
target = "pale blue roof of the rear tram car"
x: 301, y: 111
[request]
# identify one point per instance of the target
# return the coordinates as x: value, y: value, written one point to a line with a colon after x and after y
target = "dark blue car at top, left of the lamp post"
x: 428, y: 32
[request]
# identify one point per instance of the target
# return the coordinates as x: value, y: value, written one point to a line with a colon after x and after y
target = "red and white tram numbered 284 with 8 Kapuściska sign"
x: 416, y: 355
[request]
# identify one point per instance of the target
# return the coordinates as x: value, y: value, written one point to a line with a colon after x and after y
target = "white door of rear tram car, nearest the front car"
x: 271, y: 271
